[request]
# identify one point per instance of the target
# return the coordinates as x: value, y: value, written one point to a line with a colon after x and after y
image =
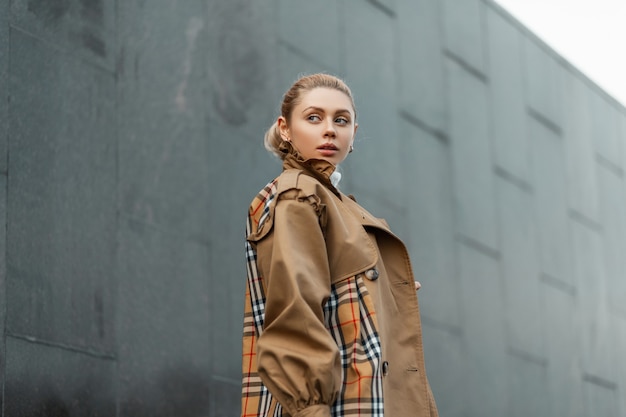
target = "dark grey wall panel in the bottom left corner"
x: 44, y: 380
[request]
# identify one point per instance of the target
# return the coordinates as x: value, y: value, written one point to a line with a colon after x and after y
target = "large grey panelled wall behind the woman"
x: 131, y: 144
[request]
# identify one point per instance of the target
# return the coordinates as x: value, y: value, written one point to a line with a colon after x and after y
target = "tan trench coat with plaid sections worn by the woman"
x: 312, y: 240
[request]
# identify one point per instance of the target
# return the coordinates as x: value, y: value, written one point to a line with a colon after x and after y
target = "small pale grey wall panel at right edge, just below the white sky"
x: 605, y: 130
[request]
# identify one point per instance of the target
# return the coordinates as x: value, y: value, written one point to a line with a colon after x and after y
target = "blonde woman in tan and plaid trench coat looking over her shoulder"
x: 331, y: 323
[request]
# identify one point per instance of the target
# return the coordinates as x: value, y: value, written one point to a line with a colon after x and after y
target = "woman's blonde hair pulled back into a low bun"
x: 292, y: 98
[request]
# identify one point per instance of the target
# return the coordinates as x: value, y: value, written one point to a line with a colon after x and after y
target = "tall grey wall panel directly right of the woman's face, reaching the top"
x: 377, y: 147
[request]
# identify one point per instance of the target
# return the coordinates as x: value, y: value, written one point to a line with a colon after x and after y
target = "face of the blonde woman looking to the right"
x: 322, y: 125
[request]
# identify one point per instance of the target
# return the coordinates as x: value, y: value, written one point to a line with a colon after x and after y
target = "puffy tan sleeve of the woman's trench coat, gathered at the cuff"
x: 298, y: 360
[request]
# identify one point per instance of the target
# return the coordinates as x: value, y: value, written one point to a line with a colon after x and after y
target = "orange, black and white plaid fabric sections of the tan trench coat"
x: 349, y: 317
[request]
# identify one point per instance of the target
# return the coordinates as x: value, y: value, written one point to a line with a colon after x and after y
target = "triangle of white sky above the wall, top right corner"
x: 590, y: 34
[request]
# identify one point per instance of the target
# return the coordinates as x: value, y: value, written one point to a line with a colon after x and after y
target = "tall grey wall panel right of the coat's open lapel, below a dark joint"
x: 430, y: 223
